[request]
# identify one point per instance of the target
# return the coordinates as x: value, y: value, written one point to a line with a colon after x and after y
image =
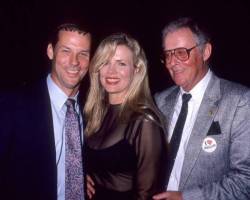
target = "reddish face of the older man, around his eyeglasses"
x: 187, y: 73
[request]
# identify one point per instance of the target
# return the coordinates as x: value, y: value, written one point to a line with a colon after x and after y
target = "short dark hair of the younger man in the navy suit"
x: 81, y: 29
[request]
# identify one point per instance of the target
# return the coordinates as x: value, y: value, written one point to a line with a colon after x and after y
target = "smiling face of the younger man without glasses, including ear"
x: 70, y: 60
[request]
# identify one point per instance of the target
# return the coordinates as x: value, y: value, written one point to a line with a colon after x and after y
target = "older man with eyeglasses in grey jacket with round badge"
x: 209, y: 146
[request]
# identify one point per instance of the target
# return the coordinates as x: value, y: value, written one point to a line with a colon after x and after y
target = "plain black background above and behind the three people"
x: 25, y: 26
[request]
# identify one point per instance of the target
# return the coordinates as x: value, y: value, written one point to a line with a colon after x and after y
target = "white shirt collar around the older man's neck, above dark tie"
x: 199, y: 89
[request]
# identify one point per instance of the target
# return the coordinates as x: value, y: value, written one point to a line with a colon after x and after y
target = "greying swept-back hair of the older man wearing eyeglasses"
x: 199, y: 32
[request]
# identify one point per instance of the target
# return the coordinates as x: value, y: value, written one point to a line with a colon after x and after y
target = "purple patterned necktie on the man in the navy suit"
x: 73, y: 155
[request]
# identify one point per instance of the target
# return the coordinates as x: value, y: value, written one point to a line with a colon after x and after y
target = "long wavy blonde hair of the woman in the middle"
x: 138, y: 96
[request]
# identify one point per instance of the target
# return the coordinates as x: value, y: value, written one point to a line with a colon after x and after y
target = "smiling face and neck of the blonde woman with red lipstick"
x: 117, y: 74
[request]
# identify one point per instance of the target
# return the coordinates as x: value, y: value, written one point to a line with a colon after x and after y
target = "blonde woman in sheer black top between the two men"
x: 126, y: 146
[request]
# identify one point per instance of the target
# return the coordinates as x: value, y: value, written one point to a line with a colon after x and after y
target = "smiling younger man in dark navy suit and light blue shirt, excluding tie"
x: 32, y: 133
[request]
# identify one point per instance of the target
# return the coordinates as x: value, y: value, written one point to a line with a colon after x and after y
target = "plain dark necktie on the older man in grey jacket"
x: 178, y: 129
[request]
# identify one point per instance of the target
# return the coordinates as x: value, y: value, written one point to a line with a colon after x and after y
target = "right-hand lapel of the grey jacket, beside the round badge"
x: 205, y: 117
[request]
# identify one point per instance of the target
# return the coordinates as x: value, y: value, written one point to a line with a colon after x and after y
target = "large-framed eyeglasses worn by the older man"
x: 181, y: 54
